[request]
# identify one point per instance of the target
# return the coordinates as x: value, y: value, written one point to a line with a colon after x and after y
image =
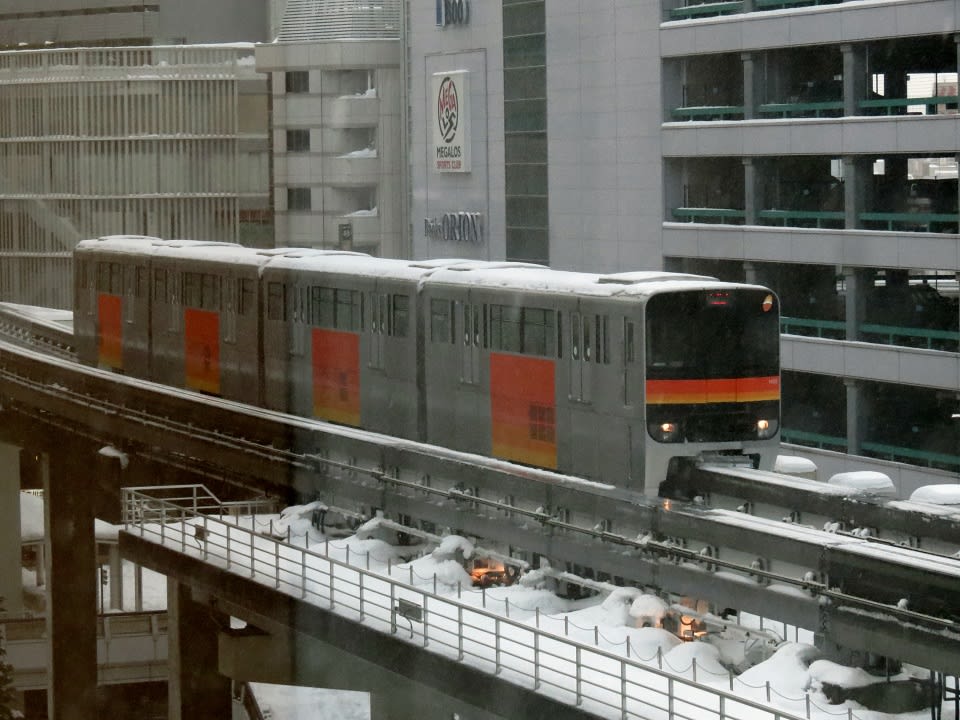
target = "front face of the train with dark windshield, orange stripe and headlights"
x: 712, y: 363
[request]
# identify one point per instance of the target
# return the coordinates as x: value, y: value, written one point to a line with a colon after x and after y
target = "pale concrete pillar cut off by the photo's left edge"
x: 11, y: 580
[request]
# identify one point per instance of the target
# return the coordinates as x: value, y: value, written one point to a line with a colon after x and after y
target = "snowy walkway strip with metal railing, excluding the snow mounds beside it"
x: 525, y: 653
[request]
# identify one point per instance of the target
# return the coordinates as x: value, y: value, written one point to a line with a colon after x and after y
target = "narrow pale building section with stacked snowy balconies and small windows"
x: 337, y: 88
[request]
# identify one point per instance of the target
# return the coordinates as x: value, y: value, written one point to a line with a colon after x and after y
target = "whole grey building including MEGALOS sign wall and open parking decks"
x: 807, y: 145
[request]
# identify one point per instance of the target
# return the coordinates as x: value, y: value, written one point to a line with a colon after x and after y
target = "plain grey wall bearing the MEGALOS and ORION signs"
x: 561, y: 125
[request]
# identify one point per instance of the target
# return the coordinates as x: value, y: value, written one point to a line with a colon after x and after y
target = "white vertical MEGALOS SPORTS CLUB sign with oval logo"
x: 451, y: 121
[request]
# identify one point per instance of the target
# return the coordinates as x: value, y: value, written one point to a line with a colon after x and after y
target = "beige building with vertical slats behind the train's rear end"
x: 137, y: 140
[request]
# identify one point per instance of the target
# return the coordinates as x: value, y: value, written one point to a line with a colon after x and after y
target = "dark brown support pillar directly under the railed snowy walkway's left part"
x: 196, y: 687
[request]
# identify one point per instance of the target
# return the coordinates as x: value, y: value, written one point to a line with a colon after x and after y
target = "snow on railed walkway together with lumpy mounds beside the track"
x: 589, y: 652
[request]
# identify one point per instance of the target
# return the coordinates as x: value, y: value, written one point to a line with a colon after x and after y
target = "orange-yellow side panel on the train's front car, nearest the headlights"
x: 523, y: 409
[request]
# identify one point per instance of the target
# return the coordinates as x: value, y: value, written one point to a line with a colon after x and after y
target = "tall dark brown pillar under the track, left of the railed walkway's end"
x: 72, y: 592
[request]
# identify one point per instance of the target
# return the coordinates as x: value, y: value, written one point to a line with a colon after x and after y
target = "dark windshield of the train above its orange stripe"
x: 713, y: 334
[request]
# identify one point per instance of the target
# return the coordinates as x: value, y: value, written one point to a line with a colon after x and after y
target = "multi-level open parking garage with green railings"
x: 814, y: 149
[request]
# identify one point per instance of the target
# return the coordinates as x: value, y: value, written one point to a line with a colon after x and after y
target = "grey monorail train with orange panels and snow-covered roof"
x: 608, y: 377
